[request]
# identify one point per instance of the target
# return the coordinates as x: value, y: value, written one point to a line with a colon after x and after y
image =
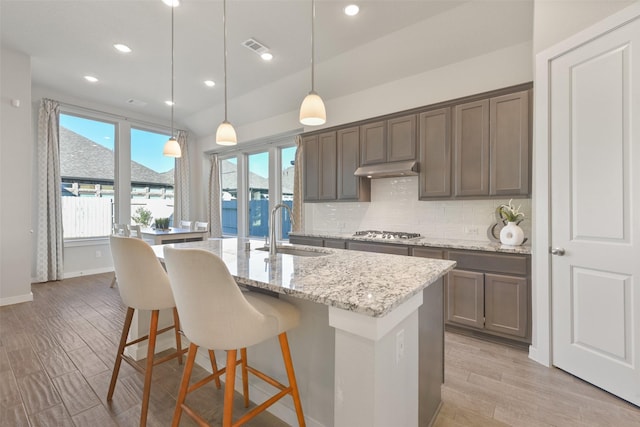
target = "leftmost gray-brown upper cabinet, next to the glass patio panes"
x: 320, y: 167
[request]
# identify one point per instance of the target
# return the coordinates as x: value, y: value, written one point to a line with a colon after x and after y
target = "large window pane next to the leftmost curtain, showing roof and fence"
x: 87, y: 171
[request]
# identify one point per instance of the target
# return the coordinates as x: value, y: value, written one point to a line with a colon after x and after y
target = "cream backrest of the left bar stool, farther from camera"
x: 142, y: 282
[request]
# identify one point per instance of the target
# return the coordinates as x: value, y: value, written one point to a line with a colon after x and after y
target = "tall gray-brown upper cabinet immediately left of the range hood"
x: 350, y: 187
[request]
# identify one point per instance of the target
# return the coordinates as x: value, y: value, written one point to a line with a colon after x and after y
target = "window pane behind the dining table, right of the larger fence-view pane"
x: 151, y: 178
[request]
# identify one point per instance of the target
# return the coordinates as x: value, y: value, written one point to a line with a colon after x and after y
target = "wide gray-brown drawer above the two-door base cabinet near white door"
x: 499, y: 263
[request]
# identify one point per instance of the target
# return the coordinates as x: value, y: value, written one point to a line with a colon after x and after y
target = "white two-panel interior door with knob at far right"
x: 595, y: 211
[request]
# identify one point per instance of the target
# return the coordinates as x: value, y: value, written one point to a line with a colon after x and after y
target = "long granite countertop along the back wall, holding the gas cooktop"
x: 474, y: 245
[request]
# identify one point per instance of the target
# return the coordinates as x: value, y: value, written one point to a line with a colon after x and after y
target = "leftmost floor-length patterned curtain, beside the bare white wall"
x: 49, y: 240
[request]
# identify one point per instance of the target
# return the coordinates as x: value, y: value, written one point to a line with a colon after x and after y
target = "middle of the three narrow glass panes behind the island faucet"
x: 259, y: 194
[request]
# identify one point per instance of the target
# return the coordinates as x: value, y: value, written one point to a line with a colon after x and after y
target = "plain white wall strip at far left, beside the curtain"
x: 16, y: 151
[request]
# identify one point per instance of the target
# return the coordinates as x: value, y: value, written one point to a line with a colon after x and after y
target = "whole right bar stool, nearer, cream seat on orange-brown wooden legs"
x: 217, y: 315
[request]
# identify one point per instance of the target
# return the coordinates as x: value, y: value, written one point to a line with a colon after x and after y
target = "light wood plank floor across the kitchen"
x: 57, y: 353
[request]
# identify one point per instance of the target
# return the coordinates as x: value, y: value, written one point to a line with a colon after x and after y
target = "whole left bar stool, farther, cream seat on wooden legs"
x: 143, y: 285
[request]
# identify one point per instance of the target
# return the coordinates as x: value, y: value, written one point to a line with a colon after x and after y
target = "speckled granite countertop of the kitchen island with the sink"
x: 368, y: 283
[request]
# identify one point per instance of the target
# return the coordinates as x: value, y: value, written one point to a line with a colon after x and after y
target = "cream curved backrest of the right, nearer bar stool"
x: 213, y: 312
